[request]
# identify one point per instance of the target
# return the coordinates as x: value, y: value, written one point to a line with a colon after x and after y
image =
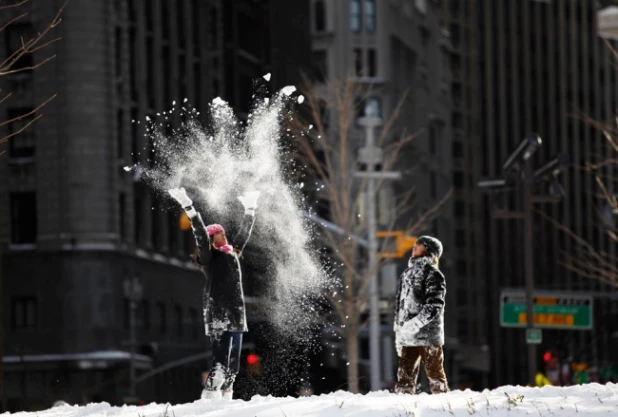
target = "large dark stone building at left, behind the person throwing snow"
x: 75, y: 226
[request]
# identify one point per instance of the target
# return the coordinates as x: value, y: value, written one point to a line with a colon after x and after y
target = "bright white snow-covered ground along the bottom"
x: 575, y: 401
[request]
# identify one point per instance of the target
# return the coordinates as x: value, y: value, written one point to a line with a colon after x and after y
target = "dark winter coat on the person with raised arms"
x: 223, y: 297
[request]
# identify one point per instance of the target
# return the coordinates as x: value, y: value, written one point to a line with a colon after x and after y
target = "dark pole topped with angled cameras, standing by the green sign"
x: 518, y: 171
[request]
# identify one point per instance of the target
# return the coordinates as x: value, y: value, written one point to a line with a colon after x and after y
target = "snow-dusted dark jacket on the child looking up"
x: 419, y: 311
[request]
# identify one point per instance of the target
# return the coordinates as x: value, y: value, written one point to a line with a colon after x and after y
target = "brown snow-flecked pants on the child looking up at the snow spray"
x: 410, y: 365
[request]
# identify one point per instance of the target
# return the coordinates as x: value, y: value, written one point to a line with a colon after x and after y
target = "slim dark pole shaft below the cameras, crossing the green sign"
x: 529, y: 271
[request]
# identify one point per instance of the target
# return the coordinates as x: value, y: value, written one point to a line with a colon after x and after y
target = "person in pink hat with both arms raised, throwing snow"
x: 223, y: 299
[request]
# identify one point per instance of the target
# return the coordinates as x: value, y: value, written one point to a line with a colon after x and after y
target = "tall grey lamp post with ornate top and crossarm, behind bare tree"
x: 372, y: 155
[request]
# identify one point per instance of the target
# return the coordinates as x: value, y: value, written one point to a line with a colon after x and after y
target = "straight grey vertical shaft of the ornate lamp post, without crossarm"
x: 374, y: 313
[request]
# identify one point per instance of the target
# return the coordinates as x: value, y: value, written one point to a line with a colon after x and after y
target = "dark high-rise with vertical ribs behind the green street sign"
x: 542, y: 66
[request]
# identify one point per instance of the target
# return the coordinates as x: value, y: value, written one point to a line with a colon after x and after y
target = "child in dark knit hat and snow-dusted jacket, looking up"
x: 419, y: 319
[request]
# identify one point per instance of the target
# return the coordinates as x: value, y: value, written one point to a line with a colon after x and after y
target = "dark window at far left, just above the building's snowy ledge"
x: 23, y: 218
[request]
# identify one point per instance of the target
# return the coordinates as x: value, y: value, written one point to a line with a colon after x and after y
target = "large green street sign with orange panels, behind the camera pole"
x: 551, y: 310
